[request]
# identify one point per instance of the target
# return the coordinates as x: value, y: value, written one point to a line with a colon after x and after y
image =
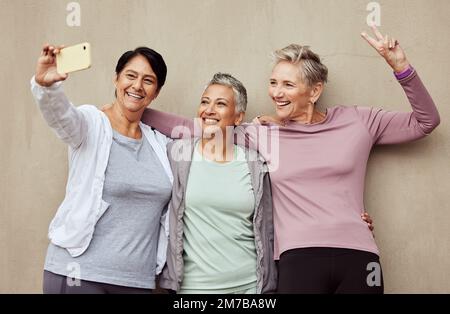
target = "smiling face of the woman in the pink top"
x: 289, y: 93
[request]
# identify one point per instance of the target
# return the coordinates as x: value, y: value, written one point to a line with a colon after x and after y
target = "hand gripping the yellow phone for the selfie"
x: 46, y: 74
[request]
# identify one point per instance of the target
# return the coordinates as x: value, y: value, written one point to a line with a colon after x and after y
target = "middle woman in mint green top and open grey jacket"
x: 221, y: 228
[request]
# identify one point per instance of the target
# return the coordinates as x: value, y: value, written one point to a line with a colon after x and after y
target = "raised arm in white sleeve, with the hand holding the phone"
x: 67, y: 121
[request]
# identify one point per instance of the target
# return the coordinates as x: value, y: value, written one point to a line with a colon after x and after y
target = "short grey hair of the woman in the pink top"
x: 312, y: 70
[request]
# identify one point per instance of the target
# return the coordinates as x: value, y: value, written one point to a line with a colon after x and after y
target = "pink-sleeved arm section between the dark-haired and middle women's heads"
x: 170, y: 125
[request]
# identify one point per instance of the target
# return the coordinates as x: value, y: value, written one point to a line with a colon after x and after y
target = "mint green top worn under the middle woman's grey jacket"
x: 219, y: 242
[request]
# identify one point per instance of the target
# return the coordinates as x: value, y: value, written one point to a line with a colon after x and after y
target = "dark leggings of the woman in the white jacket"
x: 58, y: 284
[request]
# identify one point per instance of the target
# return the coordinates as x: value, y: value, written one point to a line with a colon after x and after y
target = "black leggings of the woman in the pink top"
x: 329, y: 270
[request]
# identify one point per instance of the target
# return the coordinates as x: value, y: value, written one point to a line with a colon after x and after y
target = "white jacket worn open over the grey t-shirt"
x: 88, y: 133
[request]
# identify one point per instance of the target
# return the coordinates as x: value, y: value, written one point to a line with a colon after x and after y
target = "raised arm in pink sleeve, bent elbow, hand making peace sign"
x: 396, y: 127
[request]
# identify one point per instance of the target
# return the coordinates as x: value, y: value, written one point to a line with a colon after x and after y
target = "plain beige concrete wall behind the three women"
x: 407, y: 186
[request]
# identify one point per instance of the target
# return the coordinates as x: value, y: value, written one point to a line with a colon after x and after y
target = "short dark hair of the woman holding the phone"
x: 155, y: 59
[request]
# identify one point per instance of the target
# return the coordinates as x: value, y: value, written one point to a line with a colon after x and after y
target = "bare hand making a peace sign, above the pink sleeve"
x: 389, y: 49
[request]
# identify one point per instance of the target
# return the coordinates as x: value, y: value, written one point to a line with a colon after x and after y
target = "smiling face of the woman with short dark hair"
x: 136, y: 85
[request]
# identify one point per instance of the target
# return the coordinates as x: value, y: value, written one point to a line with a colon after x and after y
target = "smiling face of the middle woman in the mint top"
x: 217, y: 109
